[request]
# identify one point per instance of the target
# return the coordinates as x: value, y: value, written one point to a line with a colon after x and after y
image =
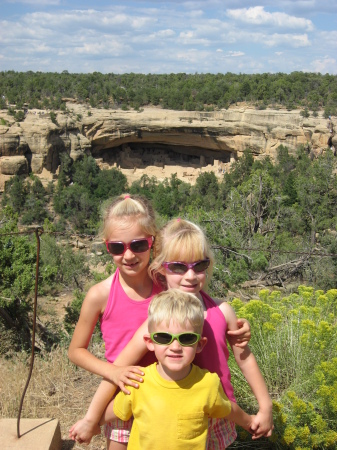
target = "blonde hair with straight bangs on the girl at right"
x: 179, y: 240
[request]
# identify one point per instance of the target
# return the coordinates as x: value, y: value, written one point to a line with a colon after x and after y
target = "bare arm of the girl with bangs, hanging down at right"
x: 262, y: 424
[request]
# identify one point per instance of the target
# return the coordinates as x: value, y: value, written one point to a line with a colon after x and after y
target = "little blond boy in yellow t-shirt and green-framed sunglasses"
x: 171, y: 408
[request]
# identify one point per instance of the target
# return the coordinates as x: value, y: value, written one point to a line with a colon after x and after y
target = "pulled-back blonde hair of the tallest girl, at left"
x: 124, y: 211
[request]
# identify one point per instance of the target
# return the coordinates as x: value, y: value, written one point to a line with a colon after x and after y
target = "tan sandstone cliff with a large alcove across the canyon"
x: 153, y: 141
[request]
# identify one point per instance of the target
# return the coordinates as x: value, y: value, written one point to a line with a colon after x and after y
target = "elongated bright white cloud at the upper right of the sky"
x: 258, y: 16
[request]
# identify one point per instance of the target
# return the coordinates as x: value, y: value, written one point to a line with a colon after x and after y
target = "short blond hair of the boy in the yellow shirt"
x: 178, y: 306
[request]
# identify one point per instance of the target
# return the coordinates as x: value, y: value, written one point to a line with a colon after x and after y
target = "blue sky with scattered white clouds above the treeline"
x: 171, y: 36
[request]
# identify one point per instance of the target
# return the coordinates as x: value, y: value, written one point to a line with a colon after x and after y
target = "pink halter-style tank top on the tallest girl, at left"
x: 121, y: 319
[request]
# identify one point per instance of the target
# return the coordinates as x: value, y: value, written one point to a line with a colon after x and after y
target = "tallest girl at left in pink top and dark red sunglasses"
x: 121, y: 301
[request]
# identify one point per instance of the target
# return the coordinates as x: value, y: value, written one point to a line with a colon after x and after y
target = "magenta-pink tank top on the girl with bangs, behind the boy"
x: 215, y: 355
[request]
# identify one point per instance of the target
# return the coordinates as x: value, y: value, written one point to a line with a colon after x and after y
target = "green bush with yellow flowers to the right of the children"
x: 294, y: 339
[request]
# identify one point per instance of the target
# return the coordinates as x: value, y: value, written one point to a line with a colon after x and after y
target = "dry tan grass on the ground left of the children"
x: 57, y: 389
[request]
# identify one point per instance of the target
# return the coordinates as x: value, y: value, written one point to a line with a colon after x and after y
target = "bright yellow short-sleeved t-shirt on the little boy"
x: 171, y: 415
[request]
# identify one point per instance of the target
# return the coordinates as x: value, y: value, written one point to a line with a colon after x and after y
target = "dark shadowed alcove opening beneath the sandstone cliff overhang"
x: 141, y: 155
